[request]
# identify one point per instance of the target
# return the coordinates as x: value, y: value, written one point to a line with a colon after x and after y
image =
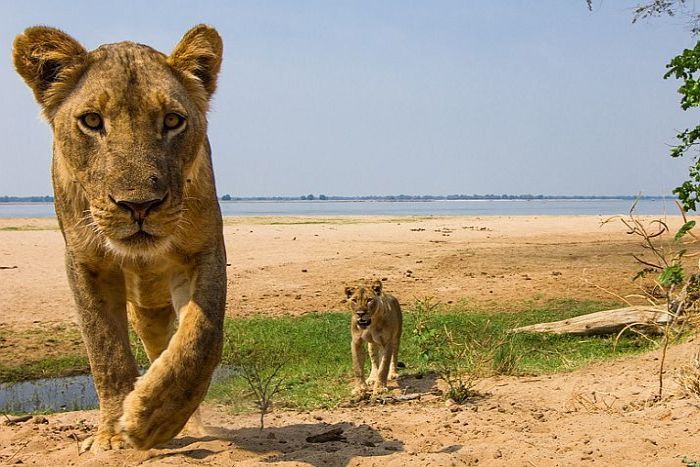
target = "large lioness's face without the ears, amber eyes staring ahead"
x: 130, y: 145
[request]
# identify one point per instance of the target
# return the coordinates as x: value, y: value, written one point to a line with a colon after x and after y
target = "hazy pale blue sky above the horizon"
x: 390, y: 97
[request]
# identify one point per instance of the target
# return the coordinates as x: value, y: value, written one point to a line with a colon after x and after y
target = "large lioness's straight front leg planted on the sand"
x: 99, y: 296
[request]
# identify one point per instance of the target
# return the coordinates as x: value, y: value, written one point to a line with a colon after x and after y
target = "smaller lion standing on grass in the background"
x: 377, y: 320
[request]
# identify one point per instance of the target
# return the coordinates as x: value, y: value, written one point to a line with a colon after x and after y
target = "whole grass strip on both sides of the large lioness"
x: 316, y: 348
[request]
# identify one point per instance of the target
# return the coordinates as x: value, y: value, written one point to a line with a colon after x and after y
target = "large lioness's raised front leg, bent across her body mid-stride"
x: 167, y: 395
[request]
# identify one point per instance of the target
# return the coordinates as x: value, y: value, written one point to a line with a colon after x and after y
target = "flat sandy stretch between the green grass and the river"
x: 301, y: 265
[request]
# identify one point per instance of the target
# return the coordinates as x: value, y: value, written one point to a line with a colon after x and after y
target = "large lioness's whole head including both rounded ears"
x: 129, y: 127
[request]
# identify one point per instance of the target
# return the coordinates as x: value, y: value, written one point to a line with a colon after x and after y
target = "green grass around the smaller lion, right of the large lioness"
x: 317, y: 348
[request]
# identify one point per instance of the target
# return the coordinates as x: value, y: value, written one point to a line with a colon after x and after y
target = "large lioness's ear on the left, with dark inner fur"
x: 50, y: 61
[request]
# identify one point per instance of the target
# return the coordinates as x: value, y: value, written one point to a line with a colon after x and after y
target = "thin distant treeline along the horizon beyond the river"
x: 311, y: 197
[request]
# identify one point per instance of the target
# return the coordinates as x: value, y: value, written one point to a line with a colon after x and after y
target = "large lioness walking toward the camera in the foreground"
x: 136, y: 202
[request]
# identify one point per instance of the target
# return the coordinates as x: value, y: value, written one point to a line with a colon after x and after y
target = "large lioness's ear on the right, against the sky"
x: 199, y: 54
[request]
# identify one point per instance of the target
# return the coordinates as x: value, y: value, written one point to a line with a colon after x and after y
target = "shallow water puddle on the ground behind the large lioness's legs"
x: 60, y: 394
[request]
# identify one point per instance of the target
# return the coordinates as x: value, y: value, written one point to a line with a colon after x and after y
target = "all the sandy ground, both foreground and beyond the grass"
x: 601, y: 414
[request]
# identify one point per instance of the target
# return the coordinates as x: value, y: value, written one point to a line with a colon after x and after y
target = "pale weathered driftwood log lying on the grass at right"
x: 604, y: 322
